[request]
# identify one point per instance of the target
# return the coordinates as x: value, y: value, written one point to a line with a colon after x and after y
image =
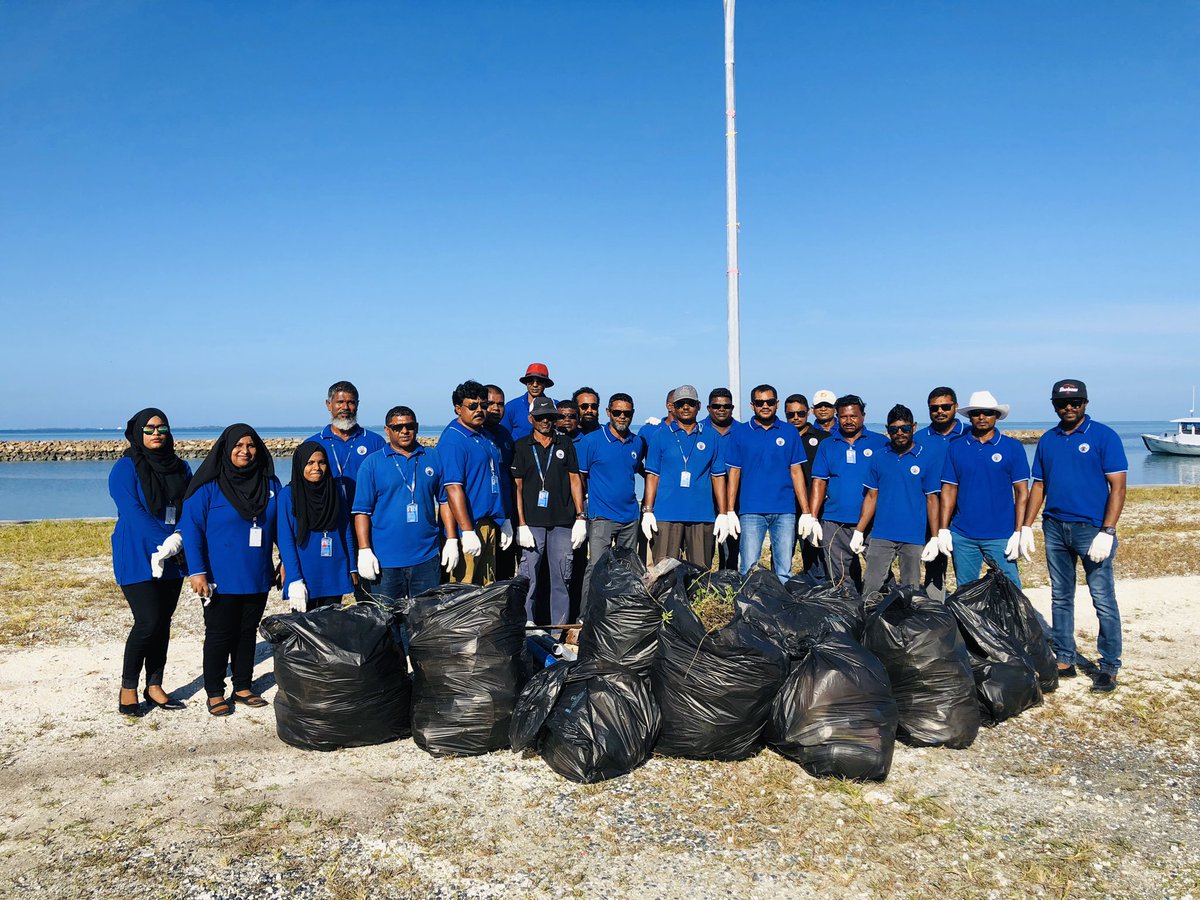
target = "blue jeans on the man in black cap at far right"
x: 1067, y: 543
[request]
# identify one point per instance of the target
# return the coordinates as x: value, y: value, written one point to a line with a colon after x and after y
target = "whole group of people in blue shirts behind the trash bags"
x: 544, y: 489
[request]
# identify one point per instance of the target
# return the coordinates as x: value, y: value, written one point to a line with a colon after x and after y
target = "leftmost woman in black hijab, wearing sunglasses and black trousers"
x: 148, y: 485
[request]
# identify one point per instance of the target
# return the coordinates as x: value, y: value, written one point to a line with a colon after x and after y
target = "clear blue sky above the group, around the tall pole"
x: 220, y: 208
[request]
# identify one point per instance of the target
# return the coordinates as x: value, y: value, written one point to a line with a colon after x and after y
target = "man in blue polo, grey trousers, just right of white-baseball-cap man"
x: 838, y: 477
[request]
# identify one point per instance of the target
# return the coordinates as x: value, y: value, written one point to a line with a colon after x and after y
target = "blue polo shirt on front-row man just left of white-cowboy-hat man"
x: 903, y: 481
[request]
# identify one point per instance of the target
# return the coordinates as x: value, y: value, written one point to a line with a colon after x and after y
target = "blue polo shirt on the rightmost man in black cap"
x: 1075, y: 470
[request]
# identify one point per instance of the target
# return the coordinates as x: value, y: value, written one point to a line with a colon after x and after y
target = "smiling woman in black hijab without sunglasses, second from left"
x: 229, y: 529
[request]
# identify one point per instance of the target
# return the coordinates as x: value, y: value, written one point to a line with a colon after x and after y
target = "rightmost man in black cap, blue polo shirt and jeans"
x: 1079, y: 471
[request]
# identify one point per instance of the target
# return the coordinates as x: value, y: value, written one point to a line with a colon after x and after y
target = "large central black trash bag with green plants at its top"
x: 715, y: 689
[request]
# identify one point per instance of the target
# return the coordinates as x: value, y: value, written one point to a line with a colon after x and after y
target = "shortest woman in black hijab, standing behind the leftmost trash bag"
x: 315, y: 537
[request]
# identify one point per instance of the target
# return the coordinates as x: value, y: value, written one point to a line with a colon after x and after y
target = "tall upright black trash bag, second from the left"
x: 467, y: 645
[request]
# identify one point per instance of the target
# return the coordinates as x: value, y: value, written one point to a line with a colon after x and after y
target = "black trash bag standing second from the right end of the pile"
x: 919, y: 643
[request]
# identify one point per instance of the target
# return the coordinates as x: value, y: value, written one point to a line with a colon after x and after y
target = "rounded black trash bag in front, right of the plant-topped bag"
x: 835, y: 715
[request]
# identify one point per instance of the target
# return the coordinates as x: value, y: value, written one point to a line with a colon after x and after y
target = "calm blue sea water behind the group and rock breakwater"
x: 76, y: 490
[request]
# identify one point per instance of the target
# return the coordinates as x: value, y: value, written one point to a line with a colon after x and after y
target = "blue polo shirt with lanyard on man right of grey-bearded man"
x: 388, y: 483
